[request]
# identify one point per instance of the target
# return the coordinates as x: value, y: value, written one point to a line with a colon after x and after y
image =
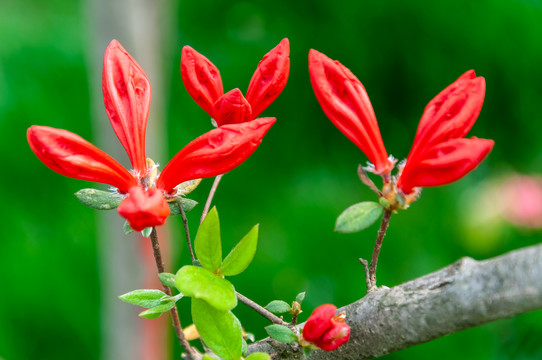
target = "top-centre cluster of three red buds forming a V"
x: 204, y: 84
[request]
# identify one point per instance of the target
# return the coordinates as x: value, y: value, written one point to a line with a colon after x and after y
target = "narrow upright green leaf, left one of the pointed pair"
x: 207, y: 244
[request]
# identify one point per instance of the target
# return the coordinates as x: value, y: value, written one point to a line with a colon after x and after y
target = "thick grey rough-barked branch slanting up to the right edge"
x: 463, y: 295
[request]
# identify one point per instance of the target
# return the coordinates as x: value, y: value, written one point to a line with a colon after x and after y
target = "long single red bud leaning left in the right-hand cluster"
x: 344, y: 100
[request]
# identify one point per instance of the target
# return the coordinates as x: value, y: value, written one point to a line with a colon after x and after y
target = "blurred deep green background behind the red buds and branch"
x: 302, y: 176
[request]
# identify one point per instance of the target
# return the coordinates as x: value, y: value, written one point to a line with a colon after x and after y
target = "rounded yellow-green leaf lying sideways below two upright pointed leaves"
x: 202, y: 284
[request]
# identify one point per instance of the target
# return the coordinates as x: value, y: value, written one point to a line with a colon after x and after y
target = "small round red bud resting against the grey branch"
x: 326, y: 330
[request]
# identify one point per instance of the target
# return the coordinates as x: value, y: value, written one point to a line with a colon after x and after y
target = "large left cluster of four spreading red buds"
x: 127, y: 99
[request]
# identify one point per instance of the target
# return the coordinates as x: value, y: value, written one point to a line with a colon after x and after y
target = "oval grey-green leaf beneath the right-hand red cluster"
x: 358, y: 217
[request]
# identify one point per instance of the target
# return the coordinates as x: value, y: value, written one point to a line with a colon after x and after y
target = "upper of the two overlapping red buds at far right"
x: 452, y: 113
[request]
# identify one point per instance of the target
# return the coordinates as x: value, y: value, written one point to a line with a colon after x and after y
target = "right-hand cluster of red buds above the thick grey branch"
x: 440, y: 154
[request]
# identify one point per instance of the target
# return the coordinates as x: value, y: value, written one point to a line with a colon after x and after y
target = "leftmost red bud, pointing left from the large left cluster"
x: 70, y: 155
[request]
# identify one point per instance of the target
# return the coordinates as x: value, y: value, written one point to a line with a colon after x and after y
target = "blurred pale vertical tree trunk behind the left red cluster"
x: 141, y: 26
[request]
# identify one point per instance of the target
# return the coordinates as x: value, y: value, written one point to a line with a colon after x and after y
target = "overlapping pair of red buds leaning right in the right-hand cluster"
x: 440, y: 155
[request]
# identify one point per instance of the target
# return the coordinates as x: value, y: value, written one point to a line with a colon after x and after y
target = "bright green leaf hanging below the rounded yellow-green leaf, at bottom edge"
x: 220, y: 330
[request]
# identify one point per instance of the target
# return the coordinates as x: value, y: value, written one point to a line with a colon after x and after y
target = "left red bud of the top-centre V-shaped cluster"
x: 201, y: 79
